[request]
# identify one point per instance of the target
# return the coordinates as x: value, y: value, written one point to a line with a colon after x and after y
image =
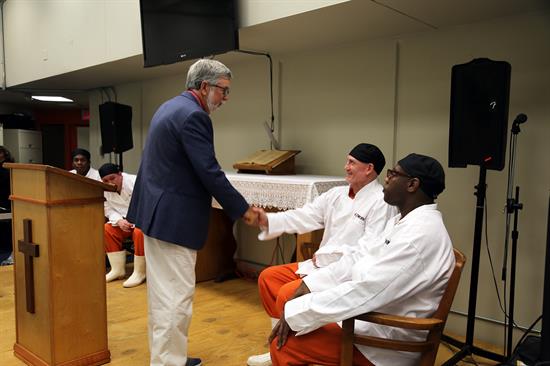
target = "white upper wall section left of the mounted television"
x: 46, y: 38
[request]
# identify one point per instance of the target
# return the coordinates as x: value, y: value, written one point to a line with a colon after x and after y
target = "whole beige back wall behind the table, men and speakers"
x: 395, y: 93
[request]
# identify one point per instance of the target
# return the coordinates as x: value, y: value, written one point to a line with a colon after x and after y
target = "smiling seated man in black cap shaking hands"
x: 346, y: 213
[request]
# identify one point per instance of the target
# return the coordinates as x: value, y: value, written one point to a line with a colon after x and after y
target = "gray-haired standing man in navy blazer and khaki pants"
x: 171, y: 202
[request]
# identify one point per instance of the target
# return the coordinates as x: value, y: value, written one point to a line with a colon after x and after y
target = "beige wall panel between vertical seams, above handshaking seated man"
x: 333, y: 99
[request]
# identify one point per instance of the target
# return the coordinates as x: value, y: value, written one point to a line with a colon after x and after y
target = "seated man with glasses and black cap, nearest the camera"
x: 403, y: 271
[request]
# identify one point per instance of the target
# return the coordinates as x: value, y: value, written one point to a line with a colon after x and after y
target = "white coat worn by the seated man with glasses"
x: 404, y: 271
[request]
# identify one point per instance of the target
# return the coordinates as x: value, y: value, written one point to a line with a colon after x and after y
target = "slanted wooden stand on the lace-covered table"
x: 268, y: 162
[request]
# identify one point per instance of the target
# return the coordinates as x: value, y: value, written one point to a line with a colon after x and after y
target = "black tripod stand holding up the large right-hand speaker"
x: 467, y: 348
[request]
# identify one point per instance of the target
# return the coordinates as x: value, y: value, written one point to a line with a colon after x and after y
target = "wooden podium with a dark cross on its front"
x: 59, y: 270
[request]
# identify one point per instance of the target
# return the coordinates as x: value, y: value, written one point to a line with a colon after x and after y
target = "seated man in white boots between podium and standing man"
x: 118, y: 228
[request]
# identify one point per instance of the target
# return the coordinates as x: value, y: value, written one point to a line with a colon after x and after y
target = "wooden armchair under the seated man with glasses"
x: 433, y: 325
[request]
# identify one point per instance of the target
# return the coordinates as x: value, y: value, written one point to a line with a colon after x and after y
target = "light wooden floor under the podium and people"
x: 229, y: 324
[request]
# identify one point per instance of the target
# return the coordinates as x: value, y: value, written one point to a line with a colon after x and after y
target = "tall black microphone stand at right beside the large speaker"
x: 512, y: 207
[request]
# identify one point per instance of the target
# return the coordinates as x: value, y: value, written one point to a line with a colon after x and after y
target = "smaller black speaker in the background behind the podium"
x: 116, y: 127
